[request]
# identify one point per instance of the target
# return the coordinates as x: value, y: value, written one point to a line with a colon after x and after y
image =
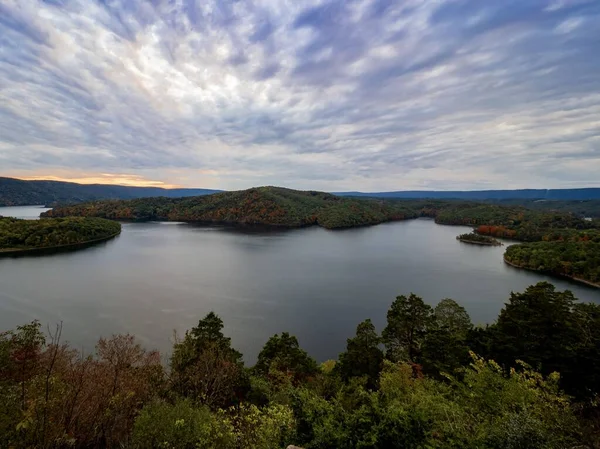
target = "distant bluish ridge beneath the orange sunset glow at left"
x: 16, y: 192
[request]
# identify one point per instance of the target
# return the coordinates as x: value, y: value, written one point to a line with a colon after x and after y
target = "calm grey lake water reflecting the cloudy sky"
x: 317, y: 284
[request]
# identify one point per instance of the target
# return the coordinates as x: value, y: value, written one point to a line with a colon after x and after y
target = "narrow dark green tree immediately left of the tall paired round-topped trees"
x: 363, y: 356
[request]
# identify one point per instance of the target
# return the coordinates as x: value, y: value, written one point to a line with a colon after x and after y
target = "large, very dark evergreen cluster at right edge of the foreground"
x: 548, y: 330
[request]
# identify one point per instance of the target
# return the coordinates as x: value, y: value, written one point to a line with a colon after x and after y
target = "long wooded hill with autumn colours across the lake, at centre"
x: 262, y: 205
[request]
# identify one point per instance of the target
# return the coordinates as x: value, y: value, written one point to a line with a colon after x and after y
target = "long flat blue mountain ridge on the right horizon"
x: 590, y: 193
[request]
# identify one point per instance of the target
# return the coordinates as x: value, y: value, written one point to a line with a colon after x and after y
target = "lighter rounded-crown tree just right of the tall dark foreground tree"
x: 445, y: 346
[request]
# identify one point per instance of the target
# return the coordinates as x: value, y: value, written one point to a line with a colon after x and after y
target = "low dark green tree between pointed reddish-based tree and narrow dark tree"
x: 283, y: 354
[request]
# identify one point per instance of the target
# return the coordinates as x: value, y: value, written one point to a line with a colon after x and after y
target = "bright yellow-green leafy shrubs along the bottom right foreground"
x: 488, y: 408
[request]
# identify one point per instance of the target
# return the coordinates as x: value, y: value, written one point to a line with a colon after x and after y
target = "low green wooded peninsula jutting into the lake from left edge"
x: 18, y: 234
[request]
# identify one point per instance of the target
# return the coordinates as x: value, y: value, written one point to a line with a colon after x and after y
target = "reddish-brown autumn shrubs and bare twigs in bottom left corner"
x: 54, y: 396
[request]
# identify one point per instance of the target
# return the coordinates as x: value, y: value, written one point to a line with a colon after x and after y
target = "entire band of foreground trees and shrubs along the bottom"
x: 418, y: 384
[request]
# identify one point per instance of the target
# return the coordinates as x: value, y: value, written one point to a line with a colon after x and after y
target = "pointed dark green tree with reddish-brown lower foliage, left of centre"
x: 206, y: 368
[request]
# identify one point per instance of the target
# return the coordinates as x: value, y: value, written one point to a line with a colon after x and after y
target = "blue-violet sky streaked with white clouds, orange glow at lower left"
x: 326, y: 95
